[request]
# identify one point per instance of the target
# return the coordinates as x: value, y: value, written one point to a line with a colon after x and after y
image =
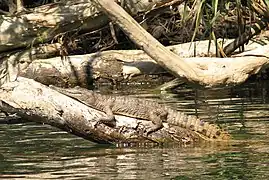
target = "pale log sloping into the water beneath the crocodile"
x: 36, y: 102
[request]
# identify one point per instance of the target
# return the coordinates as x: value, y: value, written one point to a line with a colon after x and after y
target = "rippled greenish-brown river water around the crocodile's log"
x: 31, y: 151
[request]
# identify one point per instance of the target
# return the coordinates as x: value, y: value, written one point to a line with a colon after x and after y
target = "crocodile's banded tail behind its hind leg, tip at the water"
x: 205, y: 129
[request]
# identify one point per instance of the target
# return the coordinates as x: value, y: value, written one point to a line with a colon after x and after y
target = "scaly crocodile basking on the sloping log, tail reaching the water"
x: 143, y: 109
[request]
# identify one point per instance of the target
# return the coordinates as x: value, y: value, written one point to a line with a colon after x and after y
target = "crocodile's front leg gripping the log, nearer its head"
x: 109, y: 120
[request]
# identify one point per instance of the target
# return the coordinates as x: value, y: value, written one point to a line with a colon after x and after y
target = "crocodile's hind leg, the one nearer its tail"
x: 157, y: 119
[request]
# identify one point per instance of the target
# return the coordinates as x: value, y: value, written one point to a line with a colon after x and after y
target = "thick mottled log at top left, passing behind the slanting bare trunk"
x: 46, y: 22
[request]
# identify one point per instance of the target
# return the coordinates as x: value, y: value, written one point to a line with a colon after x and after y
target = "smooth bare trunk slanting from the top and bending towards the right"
x: 214, y: 73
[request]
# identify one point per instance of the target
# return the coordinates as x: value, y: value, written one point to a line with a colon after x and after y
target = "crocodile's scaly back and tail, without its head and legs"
x: 139, y: 108
